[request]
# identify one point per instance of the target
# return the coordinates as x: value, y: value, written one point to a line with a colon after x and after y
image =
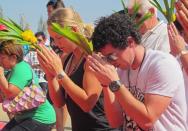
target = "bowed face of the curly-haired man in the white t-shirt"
x: 119, y: 58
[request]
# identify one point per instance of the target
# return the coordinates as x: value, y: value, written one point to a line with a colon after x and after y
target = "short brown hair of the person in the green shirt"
x: 11, y: 47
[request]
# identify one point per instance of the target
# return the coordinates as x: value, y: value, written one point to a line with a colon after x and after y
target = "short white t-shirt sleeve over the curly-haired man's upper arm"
x: 164, y: 78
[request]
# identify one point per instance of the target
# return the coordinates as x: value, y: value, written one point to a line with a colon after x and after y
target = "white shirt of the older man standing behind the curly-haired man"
x: 157, y: 38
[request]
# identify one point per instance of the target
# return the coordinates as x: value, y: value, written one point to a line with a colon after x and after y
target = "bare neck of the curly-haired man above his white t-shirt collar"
x: 139, y: 56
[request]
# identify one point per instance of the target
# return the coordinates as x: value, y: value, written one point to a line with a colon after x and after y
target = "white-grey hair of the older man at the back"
x: 145, y: 5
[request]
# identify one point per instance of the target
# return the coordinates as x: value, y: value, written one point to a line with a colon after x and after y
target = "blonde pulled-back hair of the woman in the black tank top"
x: 69, y: 17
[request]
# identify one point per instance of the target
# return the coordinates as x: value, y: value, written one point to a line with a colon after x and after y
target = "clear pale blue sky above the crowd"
x: 90, y: 10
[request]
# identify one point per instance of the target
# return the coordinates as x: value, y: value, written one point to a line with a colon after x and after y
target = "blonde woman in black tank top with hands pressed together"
x: 70, y: 83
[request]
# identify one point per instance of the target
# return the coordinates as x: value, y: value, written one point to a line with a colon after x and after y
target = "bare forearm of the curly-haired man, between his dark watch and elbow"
x: 135, y: 109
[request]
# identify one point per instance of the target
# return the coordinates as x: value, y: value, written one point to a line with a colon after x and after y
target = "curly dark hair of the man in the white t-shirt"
x: 115, y: 30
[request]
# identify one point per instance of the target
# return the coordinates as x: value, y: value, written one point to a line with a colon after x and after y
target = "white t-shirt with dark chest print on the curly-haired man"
x: 159, y: 74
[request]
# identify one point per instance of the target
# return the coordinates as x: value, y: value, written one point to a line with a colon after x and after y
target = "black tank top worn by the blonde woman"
x: 94, y: 120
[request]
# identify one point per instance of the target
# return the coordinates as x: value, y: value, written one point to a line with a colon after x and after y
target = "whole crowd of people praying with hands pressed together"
x: 136, y: 79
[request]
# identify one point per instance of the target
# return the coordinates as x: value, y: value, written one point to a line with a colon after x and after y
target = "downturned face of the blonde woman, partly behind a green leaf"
x: 61, y: 42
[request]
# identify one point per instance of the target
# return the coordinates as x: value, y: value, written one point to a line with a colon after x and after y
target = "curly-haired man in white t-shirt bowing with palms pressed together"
x: 150, y: 95
